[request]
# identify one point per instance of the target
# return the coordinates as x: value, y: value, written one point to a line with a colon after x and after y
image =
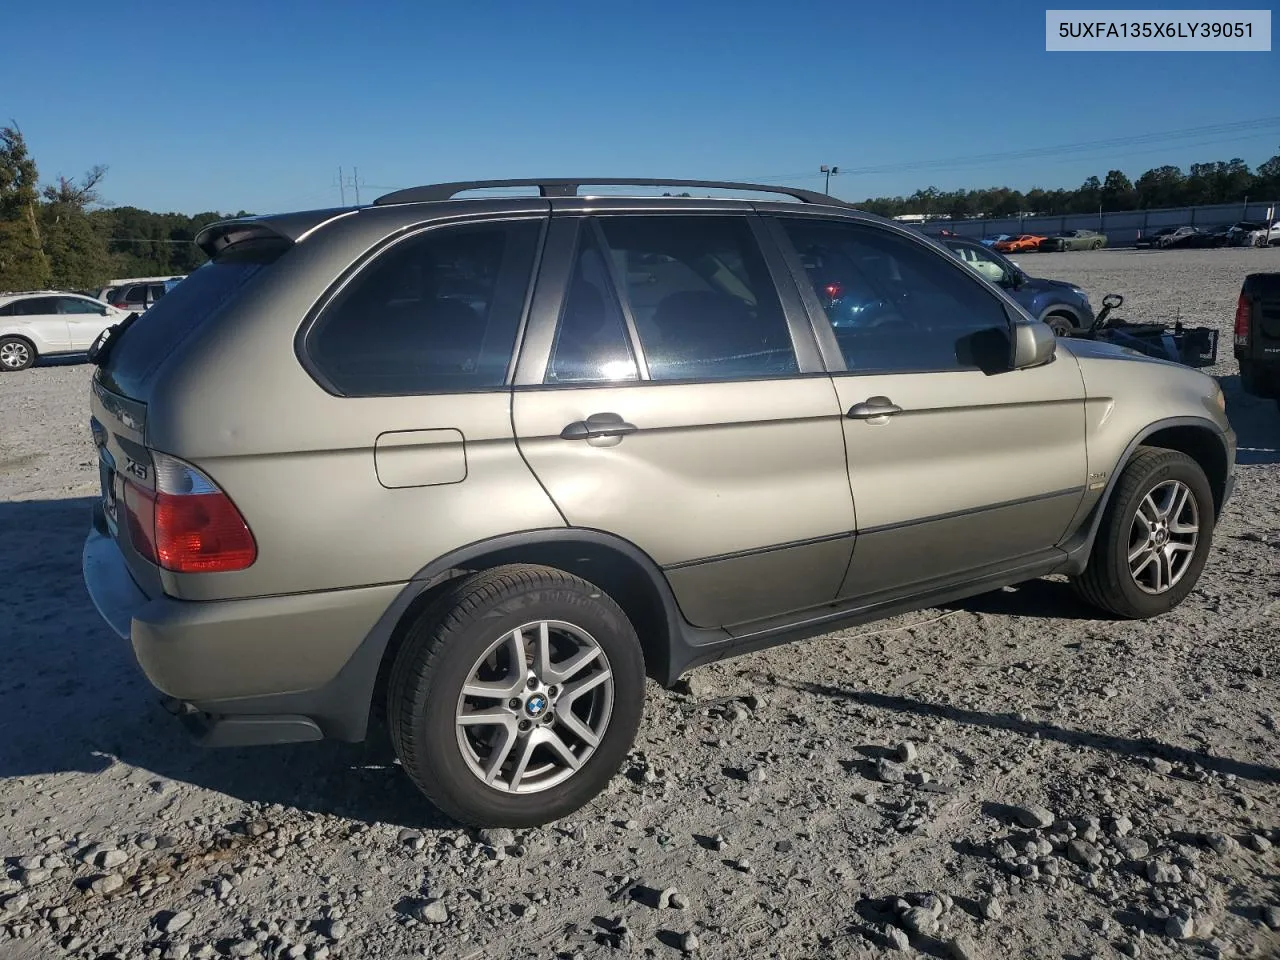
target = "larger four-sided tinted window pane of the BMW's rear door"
x: 702, y: 298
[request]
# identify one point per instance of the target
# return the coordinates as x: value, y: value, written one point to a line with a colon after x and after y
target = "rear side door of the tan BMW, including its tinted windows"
x: 670, y: 392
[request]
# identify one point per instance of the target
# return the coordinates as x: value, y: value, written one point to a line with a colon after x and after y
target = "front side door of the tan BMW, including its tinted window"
x: 958, y: 464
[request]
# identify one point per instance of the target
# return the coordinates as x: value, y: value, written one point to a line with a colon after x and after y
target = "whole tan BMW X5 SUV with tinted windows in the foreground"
x: 478, y: 467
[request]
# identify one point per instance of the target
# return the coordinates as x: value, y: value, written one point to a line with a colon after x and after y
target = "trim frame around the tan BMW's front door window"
x: 826, y: 335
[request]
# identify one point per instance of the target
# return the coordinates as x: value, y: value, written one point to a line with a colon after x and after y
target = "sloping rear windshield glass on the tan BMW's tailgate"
x: 186, y: 309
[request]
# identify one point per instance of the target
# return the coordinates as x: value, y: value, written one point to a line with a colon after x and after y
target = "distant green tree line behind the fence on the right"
x: 1232, y: 182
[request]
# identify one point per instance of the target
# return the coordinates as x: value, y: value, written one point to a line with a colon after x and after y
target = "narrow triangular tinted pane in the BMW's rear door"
x: 592, y: 340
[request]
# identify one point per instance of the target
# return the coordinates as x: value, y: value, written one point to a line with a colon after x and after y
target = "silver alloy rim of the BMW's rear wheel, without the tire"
x: 536, y: 707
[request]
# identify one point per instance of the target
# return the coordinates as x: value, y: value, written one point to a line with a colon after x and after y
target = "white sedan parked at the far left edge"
x: 48, y: 323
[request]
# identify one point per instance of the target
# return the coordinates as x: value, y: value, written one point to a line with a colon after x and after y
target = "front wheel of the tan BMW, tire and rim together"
x: 1155, y: 537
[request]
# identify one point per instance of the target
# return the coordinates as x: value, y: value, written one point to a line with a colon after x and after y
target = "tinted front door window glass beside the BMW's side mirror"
x: 895, y: 304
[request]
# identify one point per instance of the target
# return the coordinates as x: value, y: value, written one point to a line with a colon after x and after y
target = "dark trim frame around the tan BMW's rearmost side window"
x: 301, y: 337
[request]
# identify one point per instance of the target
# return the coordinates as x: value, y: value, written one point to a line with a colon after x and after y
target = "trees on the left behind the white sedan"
x: 61, y: 236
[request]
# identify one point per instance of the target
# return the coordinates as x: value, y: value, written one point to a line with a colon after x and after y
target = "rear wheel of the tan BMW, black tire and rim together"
x: 516, y: 697
